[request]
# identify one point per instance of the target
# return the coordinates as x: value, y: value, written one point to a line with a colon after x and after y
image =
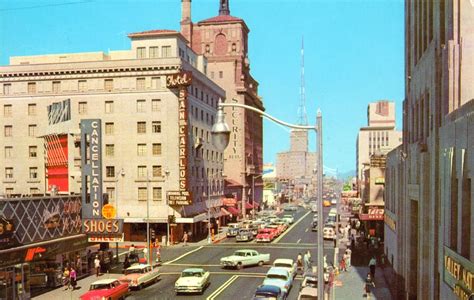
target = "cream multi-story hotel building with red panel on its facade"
x: 44, y: 98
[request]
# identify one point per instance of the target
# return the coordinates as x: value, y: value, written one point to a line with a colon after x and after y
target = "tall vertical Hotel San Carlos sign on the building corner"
x: 181, y: 81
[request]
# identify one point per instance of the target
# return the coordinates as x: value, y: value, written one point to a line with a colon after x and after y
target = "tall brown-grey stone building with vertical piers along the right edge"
x: 433, y: 210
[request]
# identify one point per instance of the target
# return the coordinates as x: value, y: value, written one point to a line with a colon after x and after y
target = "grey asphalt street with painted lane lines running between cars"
x: 237, y: 284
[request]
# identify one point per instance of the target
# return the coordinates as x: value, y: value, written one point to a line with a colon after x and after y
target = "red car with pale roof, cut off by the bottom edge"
x: 110, y: 289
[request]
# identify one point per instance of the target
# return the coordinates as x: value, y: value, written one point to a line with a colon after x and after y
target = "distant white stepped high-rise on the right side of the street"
x: 379, y: 135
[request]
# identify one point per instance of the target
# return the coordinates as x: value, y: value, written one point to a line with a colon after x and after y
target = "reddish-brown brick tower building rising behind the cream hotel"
x: 223, y: 39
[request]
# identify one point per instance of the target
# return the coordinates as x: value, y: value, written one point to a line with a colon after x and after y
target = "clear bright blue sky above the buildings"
x: 353, y: 52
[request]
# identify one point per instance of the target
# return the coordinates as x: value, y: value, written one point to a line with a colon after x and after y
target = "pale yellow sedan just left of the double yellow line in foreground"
x: 193, y: 280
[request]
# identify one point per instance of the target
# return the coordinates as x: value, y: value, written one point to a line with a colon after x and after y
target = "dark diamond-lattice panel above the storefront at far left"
x: 38, y: 219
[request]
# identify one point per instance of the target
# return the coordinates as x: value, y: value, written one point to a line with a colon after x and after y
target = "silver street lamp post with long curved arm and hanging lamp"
x: 221, y: 135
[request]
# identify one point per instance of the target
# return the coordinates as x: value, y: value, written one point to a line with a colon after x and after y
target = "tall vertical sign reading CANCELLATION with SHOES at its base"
x: 92, y: 198
